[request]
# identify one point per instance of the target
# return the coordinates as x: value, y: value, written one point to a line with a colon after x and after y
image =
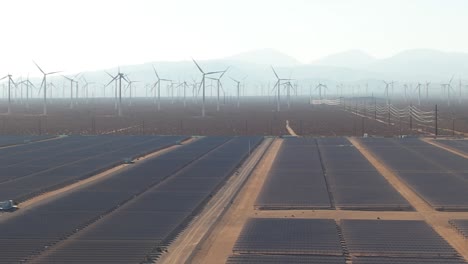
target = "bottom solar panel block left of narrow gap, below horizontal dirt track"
x: 289, y: 236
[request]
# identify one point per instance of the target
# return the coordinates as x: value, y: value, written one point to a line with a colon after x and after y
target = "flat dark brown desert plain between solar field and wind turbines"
x: 257, y: 116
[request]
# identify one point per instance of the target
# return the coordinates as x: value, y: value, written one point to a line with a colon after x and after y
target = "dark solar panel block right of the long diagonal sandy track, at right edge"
x: 438, y: 176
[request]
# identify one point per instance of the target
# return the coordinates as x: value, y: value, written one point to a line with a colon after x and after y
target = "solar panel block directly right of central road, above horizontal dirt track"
x: 296, y: 179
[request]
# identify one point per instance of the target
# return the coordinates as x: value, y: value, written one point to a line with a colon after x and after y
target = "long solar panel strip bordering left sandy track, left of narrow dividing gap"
x: 46, y: 224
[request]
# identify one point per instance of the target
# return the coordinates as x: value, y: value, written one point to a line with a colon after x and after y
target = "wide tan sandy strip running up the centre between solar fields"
x: 218, y: 245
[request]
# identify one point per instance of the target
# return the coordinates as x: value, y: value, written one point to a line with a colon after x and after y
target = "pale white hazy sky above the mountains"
x: 75, y: 35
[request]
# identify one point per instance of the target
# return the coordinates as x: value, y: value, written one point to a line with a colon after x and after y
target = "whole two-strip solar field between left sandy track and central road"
x: 149, y: 205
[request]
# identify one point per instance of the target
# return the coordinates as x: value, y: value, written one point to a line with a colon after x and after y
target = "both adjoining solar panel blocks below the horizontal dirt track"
x: 303, y: 240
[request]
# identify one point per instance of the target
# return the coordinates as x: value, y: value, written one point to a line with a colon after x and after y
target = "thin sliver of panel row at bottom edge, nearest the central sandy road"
x: 282, y: 259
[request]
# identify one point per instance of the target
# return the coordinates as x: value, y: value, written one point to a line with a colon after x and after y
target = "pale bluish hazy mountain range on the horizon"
x: 348, y: 66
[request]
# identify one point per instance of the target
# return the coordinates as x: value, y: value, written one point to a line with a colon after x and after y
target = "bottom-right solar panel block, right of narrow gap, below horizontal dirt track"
x: 394, y: 238
